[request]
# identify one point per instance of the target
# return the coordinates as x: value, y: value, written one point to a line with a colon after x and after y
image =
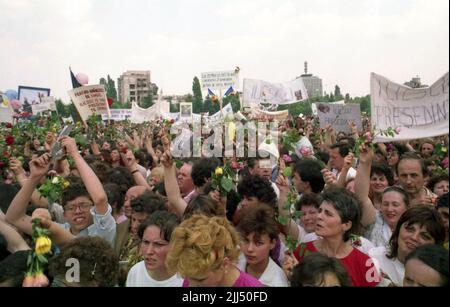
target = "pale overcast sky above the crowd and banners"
x: 343, y: 40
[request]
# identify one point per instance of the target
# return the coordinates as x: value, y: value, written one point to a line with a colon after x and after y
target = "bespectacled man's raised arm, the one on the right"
x: 90, y: 180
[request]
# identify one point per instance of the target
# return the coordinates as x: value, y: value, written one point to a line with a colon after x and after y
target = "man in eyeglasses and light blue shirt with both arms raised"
x: 86, y: 208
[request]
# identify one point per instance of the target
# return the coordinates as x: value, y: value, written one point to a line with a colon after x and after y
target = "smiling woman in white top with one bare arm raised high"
x: 379, y: 223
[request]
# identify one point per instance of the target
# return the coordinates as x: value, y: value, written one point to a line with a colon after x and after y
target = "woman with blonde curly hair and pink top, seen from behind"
x: 204, y: 251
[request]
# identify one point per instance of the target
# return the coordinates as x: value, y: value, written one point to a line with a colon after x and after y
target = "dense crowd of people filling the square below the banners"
x: 344, y: 213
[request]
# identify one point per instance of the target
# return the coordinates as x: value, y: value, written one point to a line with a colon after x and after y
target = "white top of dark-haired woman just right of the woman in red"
x: 393, y: 268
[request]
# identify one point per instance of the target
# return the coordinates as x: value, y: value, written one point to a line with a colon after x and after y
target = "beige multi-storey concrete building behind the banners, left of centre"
x: 134, y: 85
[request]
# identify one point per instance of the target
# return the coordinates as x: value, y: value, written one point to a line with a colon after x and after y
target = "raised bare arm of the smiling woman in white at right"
x: 362, y: 186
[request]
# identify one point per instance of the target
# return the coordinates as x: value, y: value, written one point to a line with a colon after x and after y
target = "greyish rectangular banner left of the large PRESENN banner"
x: 339, y: 116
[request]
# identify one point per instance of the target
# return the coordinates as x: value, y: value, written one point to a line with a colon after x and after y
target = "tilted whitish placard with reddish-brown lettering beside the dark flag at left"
x: 90, y: 100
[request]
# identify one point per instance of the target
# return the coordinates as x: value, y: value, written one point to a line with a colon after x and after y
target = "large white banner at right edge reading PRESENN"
x: 419, y: 112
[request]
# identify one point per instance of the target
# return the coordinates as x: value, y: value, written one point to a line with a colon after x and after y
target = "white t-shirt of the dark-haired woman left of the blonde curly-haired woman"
x: 139, y: 277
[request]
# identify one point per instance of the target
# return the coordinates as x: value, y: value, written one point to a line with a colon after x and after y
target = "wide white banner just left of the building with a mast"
x: 258, y: 91
